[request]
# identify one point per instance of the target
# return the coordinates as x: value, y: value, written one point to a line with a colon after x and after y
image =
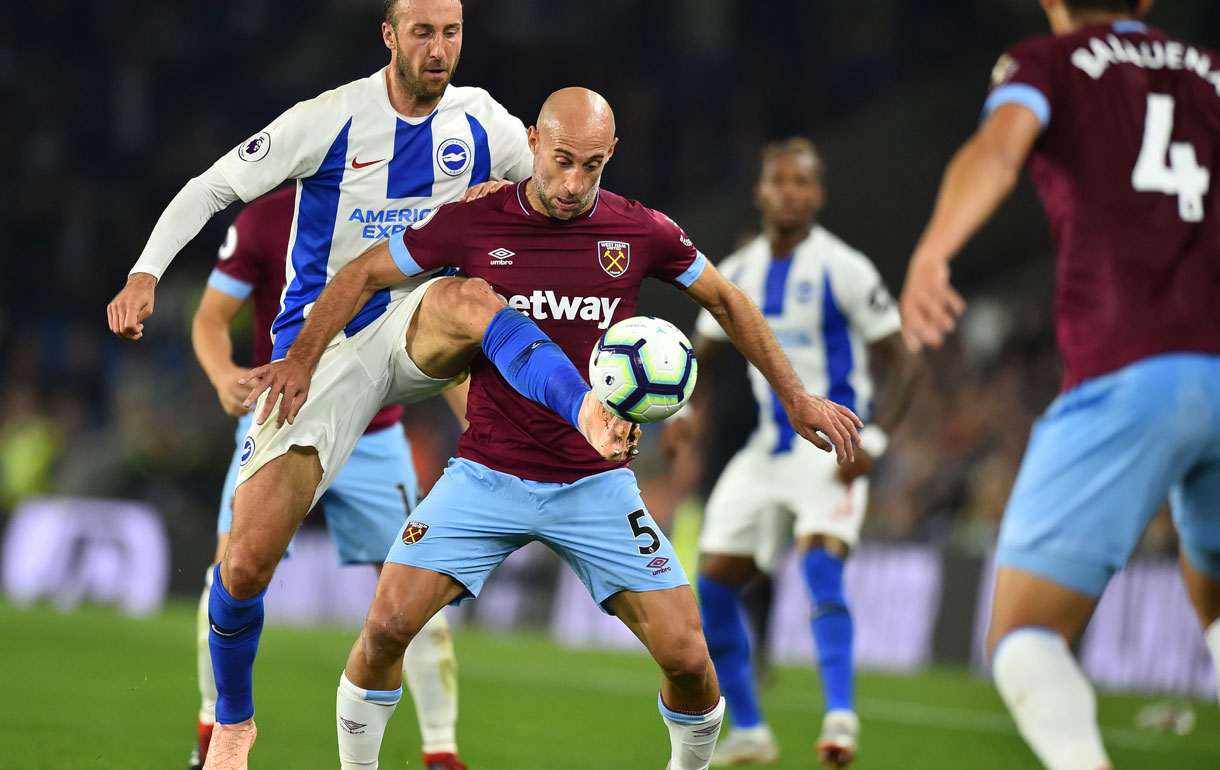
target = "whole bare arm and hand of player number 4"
x: 977, y: 181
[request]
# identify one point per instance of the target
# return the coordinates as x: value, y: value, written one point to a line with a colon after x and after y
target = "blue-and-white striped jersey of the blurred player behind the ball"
x: 825, y: 303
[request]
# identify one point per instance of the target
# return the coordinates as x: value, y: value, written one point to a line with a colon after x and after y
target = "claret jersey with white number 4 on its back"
x: 1128, y: 167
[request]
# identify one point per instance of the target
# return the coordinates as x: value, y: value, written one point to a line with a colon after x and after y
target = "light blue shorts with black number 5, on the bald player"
x: 475, y: 518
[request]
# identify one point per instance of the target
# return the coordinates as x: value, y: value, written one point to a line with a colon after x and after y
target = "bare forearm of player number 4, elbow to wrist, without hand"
x: 977, y: 182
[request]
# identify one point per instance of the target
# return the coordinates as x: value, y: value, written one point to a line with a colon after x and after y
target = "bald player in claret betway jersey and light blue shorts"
x: 522, y: 474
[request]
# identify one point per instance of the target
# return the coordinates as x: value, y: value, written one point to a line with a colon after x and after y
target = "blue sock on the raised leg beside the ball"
x: 534, y: 364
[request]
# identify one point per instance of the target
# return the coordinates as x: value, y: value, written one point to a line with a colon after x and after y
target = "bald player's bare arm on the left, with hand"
x: 343, y: 297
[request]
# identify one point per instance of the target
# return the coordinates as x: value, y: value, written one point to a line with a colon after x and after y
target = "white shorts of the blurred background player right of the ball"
x: 763, y: 500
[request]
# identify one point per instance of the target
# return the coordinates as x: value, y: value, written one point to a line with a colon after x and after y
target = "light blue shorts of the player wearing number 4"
x: 1103, y: 458
